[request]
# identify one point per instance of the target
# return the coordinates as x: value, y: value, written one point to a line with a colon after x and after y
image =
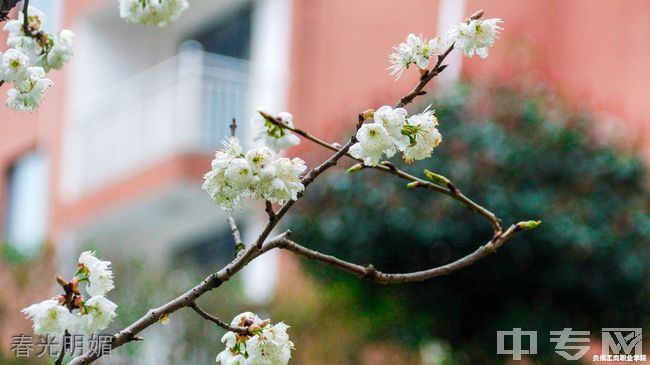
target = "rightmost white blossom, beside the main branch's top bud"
x: 475, y: 36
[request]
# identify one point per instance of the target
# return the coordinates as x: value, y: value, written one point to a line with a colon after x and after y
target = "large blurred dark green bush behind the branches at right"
x: 523, y: 156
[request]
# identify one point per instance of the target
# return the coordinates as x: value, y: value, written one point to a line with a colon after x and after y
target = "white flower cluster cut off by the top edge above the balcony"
x: 152, y: 12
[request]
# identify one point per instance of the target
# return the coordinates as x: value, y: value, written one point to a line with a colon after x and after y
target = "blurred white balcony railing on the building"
x: 184, y: 104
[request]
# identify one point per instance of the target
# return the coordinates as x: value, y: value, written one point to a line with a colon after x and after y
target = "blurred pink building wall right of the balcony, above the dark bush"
x: 594, y: 51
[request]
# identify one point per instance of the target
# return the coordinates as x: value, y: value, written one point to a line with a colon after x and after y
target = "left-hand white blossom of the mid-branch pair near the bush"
x: 373, y: 142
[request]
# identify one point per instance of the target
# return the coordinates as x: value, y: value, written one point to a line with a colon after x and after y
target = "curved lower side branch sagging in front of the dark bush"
x: 373, y: 274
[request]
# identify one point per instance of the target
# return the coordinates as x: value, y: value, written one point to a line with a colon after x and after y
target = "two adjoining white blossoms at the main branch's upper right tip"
x: 471, y: 36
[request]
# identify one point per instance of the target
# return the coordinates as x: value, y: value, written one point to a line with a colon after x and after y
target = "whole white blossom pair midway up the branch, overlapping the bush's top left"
x: 391, y: 131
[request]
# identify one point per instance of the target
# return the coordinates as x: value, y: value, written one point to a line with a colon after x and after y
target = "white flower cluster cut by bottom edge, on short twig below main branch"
x: 265, y: 343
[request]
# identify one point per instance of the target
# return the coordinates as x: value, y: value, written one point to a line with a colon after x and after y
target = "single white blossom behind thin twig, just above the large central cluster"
x: 273, y: 136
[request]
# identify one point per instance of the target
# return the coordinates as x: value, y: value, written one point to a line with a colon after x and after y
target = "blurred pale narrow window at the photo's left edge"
x: 27, y: 203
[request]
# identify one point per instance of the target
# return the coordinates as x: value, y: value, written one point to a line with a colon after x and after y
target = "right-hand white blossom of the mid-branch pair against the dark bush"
x: 423, y: 135
